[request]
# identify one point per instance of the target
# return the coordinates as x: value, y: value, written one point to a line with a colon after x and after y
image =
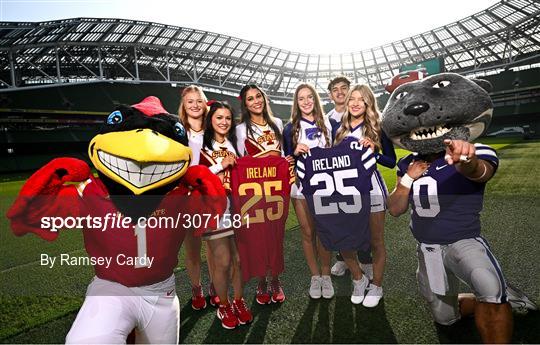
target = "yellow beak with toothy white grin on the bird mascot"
x: 140, y: 159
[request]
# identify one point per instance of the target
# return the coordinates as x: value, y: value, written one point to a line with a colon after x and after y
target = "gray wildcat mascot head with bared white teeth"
x: 421, y: 114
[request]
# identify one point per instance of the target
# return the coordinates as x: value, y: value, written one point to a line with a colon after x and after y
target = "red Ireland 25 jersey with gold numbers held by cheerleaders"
x: 261, y: 189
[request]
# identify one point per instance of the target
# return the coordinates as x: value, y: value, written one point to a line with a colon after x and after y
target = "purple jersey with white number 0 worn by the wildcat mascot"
x: 445, y: 204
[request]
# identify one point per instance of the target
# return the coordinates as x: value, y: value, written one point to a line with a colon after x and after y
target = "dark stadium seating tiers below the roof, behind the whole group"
x: 39, y: 124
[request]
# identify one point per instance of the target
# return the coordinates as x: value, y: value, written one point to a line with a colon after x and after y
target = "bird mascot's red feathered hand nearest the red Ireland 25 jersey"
x: 206, y: 195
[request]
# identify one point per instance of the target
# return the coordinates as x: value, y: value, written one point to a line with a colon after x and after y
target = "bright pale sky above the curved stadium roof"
x: 321, y: 27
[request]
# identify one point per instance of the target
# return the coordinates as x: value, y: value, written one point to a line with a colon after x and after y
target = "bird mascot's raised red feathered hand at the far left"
x: 45, y: 195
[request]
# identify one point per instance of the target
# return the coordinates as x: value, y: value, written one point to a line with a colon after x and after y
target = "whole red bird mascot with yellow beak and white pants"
x: 142, y: 158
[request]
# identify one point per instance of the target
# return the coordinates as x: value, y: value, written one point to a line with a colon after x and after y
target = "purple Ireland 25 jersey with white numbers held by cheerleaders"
x: 336, y: 183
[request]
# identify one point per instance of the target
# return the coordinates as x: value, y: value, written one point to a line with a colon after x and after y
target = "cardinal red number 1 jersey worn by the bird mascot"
x: 126, y: 246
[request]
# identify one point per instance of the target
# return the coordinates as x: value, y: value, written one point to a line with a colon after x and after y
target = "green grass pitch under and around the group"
x: 38, y: 305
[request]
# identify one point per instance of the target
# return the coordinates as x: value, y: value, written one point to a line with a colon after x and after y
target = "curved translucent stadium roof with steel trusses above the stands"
x: 504, y: 35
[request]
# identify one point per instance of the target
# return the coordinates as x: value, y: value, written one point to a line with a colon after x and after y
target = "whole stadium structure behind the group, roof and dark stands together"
x: 60, y: 79
